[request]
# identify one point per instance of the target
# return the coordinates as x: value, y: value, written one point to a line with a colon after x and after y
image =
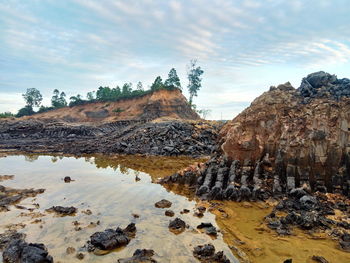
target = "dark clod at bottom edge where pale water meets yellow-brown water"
x: 206, y: 253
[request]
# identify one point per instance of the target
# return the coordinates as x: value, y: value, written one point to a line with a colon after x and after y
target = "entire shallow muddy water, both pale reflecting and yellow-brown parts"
x: 115, y: 188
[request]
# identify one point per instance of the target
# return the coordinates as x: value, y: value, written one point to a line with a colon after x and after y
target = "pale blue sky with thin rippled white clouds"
x: 243, y: 46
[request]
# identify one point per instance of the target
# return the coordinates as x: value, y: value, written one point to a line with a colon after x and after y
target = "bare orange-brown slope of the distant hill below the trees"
x: 162, y: 103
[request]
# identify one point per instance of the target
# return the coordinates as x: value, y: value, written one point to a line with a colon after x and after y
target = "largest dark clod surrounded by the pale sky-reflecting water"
x: 111, y: 239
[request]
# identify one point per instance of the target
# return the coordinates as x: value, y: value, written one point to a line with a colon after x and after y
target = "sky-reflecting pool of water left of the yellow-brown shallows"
x: 113, y: 189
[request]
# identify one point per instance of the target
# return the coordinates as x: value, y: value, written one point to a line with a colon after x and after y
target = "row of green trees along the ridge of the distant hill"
x: 33, y: 97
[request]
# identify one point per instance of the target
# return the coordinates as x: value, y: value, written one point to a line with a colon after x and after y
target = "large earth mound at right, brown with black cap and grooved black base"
x: 287, y: 138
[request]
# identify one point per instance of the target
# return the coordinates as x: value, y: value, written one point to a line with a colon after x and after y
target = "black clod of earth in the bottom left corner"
x: 20, y: 251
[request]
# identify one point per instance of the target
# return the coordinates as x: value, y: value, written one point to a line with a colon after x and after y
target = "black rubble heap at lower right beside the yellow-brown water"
x: 313, y: 213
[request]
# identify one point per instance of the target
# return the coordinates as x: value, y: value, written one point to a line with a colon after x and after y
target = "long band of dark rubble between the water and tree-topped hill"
x: 187, y: 138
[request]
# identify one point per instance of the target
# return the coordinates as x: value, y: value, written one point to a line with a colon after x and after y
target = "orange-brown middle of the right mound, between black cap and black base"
x: 305, y: 141
